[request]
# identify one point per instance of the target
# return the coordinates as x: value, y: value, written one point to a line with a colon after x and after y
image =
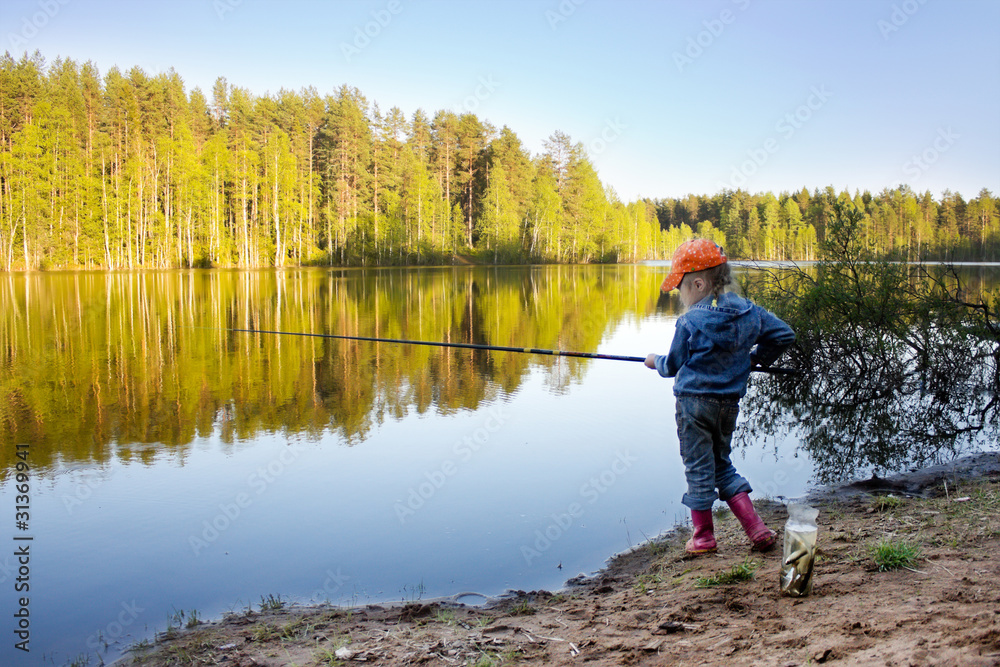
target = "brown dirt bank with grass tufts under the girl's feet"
x: 647, y: 606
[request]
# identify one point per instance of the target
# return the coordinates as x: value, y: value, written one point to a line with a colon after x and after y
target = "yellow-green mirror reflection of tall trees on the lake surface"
x: 92, y: 363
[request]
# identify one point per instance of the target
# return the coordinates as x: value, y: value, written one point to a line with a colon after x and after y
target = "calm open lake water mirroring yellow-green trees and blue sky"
x: 173, y: 465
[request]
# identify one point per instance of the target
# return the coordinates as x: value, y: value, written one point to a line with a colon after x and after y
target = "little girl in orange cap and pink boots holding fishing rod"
x: 717, y: 341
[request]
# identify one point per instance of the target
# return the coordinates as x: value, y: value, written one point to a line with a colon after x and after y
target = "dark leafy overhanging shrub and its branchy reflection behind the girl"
x: 900, y: 362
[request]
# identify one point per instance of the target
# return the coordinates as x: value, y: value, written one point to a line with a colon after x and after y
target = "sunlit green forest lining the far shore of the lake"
x: 131, y: 171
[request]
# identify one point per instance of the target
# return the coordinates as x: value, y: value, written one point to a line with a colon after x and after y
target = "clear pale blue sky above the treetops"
x: 668, y: 97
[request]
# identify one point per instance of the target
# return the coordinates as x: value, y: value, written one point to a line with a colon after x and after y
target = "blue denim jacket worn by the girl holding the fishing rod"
x: 717, y: 341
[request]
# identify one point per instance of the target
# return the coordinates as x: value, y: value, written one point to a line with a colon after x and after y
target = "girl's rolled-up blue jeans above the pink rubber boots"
x: 705, y: 428
